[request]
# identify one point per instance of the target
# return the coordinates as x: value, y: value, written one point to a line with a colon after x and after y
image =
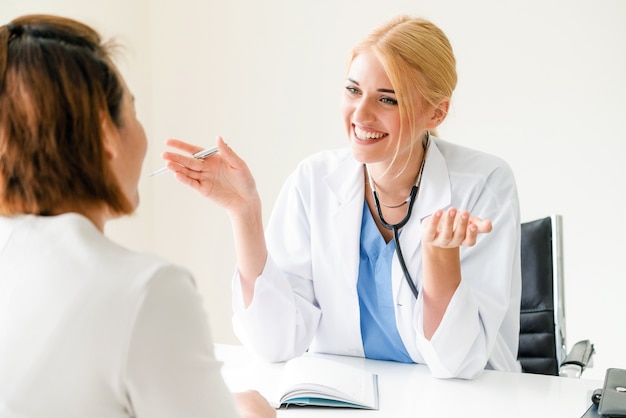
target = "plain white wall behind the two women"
x: 541, y: 84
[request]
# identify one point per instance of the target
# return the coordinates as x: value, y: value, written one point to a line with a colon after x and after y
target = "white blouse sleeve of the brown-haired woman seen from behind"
x: 171, y: 367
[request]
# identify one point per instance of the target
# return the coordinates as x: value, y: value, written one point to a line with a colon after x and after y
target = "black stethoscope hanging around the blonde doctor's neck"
x: 395, y: 228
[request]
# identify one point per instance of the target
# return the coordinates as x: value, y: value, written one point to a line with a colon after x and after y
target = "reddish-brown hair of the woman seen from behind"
x: 58, y: 86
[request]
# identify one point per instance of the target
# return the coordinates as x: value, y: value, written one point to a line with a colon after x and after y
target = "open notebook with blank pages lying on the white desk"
x: 317, y: 381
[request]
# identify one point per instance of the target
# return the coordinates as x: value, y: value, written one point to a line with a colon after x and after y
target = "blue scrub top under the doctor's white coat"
x: 379, y: 332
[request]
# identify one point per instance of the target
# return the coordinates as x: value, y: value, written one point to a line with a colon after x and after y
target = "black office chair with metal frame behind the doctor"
x: 542, y: 344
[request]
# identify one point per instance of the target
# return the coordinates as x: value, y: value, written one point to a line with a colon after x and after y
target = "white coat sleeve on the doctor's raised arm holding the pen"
x: 283, y: 317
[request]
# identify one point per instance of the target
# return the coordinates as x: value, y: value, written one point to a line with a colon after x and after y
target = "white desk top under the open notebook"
x: 408, y: 390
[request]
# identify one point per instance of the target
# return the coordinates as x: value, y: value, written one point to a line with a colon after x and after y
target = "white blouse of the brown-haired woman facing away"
x: 90, y: 329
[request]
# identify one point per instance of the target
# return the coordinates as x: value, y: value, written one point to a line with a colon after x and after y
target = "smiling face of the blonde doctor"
x: 371, y: 113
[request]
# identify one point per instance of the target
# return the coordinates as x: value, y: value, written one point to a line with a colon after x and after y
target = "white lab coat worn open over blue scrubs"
x: 306, y: 297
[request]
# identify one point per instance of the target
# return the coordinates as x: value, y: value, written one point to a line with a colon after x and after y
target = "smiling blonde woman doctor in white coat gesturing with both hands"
x: 401, y: 247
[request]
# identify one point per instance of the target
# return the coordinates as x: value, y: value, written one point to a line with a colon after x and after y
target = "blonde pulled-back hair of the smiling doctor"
x: 419, y: 61
